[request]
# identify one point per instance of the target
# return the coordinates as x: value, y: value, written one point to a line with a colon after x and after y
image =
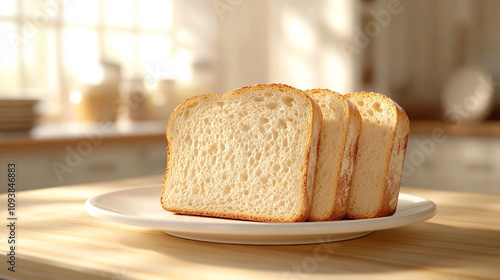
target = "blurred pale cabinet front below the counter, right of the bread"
x: 461, y: 163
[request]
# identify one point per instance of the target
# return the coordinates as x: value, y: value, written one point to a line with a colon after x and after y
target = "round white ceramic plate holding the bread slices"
x: 141, y: 207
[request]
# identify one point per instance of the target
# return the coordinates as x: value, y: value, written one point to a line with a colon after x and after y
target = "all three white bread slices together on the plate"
x: 274, y: 153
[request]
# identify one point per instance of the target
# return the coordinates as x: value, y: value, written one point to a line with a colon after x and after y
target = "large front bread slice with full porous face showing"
x: 248, y: 154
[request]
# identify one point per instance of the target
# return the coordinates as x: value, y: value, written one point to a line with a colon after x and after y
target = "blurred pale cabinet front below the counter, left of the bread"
x: 64, y: 164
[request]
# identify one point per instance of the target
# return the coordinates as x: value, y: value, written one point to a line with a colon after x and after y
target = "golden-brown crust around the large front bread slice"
x: 314, y: 129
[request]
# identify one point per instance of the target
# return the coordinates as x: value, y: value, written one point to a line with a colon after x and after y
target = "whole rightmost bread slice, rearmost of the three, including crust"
x: 381, y: 152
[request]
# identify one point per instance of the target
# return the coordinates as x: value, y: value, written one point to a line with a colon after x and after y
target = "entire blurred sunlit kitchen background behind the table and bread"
x: 87, y: 86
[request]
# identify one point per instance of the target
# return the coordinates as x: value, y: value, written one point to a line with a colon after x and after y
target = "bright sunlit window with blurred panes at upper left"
x: 47, y: 45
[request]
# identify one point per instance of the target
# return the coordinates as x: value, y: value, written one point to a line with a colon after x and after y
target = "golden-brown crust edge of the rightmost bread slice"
x: 392, y: 164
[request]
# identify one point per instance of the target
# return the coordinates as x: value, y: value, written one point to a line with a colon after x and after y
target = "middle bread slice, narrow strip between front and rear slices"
x: 337, y: 155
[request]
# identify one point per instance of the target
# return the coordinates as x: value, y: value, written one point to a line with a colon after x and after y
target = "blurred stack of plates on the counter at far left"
x: 17, y: 114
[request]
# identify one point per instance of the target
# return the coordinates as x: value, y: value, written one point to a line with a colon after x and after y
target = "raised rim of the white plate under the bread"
x: 231, y: 227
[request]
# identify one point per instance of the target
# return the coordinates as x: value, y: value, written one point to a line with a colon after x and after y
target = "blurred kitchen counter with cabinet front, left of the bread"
x: 65, y: 153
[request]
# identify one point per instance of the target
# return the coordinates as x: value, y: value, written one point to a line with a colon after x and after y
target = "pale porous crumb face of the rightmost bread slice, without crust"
x: 379, y: 120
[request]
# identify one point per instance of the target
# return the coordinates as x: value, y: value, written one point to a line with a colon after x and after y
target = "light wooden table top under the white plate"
x: 57, y: 239
